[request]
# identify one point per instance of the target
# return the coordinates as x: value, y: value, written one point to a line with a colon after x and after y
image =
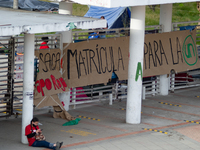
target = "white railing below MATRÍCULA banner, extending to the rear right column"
x: 117, y: 91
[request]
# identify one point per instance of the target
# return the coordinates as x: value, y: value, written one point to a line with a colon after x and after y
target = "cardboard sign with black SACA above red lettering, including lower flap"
x: 49, y: 80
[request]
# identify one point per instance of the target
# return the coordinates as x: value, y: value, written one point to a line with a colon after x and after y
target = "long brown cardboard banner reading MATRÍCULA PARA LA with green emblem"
x: 92, y: 62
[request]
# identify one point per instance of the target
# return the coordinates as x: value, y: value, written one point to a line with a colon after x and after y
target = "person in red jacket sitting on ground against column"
x: 32, y: 129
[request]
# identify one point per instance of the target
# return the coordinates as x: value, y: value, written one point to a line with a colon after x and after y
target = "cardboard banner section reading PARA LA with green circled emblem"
x: 170, y: 51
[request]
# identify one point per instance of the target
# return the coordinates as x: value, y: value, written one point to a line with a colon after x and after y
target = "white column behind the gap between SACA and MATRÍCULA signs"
x: 66, y: 37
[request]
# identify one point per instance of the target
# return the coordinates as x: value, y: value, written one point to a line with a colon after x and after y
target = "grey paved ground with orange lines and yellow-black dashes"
x: 168, y: 123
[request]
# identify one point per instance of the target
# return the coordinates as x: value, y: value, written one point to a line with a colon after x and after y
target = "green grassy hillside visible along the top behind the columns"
x: 181, y: 12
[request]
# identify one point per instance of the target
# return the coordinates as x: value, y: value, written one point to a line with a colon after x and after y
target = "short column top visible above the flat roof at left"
x: 65, y: 8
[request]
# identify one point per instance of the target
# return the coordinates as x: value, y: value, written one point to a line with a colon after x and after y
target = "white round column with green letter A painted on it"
x: 136, y: 54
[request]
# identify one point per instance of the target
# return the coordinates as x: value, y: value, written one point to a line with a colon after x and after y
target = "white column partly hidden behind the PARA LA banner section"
x: 166, y: 21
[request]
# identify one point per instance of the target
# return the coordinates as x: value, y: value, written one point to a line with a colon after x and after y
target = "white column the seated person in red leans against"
x: 27, y: 108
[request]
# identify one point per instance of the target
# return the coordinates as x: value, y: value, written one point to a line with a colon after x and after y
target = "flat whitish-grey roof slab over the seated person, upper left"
x: 15, y: 22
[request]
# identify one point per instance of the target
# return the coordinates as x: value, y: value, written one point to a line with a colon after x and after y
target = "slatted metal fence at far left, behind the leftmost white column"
x: 11, y: 71
